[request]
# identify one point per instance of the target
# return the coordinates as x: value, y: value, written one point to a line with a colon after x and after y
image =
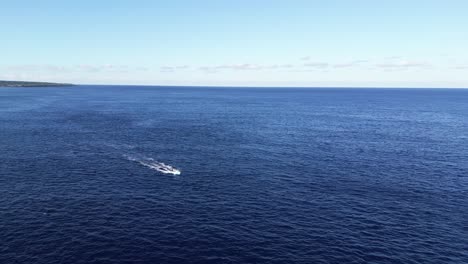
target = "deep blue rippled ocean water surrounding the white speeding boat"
x: 268, y: 175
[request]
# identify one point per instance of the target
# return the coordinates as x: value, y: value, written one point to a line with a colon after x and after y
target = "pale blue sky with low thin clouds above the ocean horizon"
x: 396, y: 43
